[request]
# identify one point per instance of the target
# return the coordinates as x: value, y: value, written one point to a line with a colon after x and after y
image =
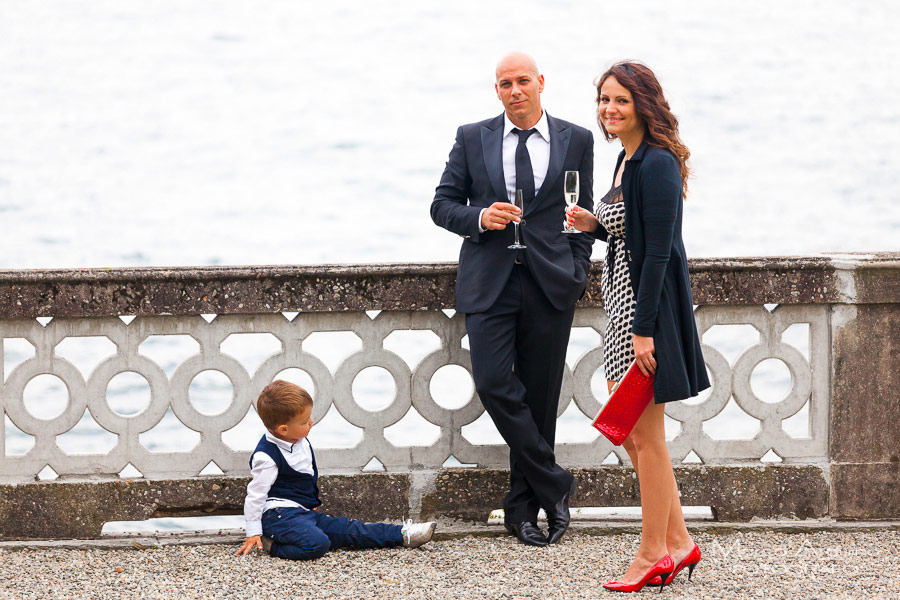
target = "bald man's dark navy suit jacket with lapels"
x: 473, y: 180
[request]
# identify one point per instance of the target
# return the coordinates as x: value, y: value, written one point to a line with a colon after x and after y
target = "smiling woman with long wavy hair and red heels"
x: 647, y: 296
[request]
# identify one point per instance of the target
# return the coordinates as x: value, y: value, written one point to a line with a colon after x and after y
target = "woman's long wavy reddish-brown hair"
x: 653, y: 109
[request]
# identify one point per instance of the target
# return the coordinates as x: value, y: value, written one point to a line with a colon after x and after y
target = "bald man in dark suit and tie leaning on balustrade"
x: 519, y: 304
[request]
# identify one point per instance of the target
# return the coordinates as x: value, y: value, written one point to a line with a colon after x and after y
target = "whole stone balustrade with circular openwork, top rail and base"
x: 842, y: 312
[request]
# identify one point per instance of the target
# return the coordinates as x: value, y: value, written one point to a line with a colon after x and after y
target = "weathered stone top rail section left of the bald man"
x: 224, y: 290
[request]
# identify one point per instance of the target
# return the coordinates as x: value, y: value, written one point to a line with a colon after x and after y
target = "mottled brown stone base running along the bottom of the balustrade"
x: 56, y: 510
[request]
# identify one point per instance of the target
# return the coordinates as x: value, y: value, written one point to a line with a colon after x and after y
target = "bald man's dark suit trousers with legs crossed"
x: 518, y: 352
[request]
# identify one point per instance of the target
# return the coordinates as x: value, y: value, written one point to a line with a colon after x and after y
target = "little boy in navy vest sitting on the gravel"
x: 282, y: 496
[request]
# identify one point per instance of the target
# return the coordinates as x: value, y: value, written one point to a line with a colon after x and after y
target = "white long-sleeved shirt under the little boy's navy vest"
x: 264, y: 472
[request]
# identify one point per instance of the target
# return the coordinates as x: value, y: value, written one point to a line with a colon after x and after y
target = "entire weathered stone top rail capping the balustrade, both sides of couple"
x: 270, y: 289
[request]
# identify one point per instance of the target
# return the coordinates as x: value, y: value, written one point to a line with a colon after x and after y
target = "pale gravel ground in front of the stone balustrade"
x: 833, y: 564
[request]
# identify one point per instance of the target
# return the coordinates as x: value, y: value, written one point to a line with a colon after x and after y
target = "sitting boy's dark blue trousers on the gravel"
x: 299, y: 534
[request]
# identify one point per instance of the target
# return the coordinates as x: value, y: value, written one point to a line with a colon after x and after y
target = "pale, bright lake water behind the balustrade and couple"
x: 210, y: 133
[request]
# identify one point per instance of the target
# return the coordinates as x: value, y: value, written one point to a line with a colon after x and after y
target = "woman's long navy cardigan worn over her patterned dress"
x: 652, y: 192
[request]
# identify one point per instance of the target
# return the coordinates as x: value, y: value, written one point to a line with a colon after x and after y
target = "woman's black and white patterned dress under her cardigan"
x: 618, y: 295
